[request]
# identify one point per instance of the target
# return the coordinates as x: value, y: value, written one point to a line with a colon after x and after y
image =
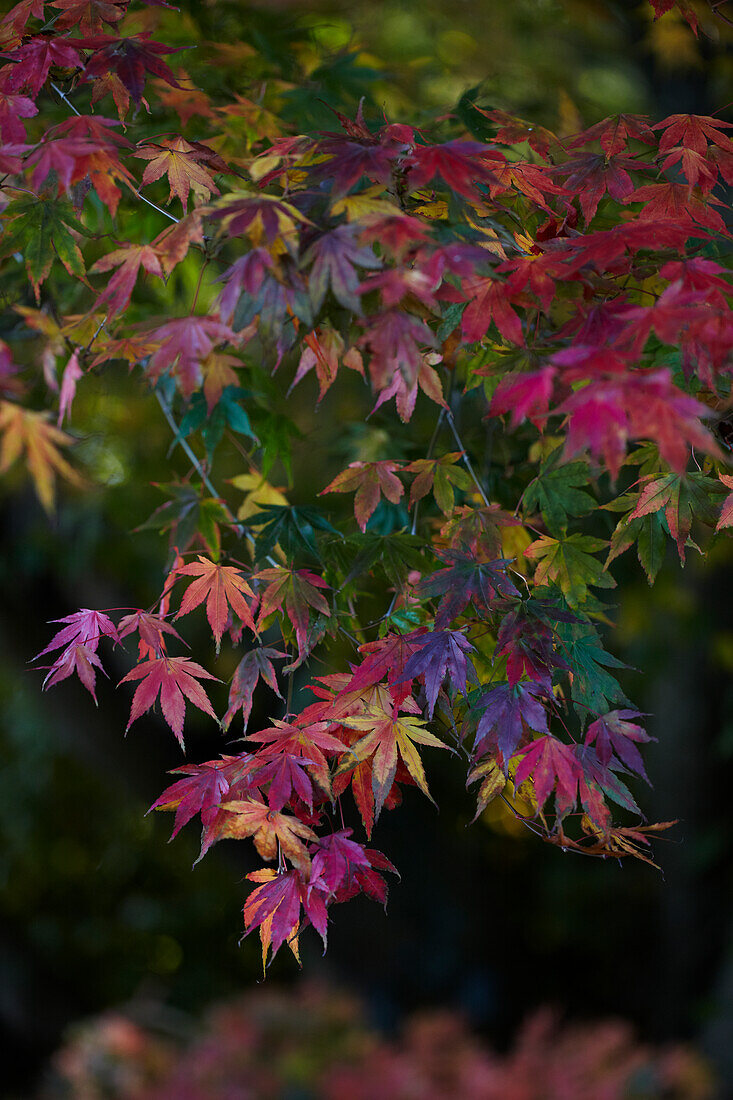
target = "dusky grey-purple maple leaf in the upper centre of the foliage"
x: 335, y: 257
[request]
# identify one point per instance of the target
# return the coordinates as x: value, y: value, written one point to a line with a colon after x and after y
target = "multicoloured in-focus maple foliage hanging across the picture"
x: 557, y: 302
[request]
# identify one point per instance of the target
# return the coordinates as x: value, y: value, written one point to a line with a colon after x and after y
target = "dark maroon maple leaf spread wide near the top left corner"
x: 129, y: 59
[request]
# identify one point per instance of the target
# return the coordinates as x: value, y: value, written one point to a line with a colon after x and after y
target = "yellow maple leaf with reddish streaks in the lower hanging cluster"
x: 389, y: 734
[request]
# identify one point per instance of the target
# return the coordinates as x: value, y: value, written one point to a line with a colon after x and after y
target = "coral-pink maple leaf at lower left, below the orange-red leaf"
x: 174, y: 678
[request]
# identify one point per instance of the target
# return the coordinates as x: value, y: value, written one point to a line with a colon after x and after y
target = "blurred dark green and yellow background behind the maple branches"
x: 95, y: 909
